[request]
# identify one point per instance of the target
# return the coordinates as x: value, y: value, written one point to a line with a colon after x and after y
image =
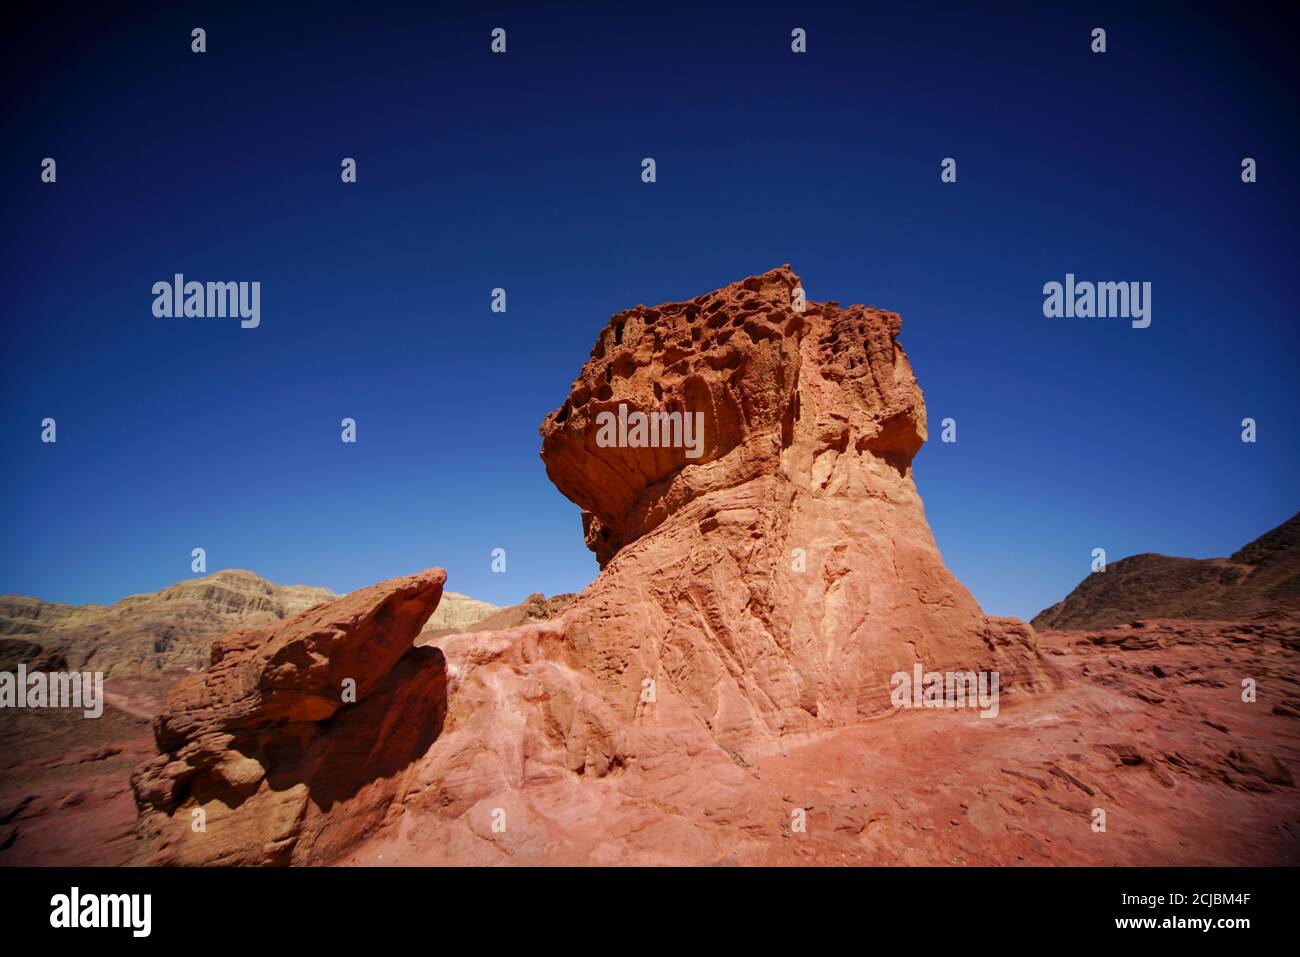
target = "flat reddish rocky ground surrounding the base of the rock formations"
x: 1149, y: 726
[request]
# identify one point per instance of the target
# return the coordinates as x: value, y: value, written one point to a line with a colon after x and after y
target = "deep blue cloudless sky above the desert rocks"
x: 523, y: 171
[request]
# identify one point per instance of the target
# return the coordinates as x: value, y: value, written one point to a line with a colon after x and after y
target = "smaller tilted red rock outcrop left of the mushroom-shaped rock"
x: 258, y: 752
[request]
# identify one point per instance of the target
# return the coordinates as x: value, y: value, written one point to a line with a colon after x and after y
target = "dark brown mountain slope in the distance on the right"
x: 1260, y: 575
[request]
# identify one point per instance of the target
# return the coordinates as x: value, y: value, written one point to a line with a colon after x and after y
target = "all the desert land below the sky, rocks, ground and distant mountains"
x: 721, y: 695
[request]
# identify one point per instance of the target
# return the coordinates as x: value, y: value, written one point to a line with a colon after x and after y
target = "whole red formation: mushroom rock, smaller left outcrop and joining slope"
x: 765, y: 588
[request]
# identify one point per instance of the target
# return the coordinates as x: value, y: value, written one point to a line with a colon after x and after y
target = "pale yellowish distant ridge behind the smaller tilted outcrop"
x: 172, y: 630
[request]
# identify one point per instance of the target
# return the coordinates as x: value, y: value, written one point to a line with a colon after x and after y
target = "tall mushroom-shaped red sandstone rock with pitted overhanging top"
x: 777, y: 582
